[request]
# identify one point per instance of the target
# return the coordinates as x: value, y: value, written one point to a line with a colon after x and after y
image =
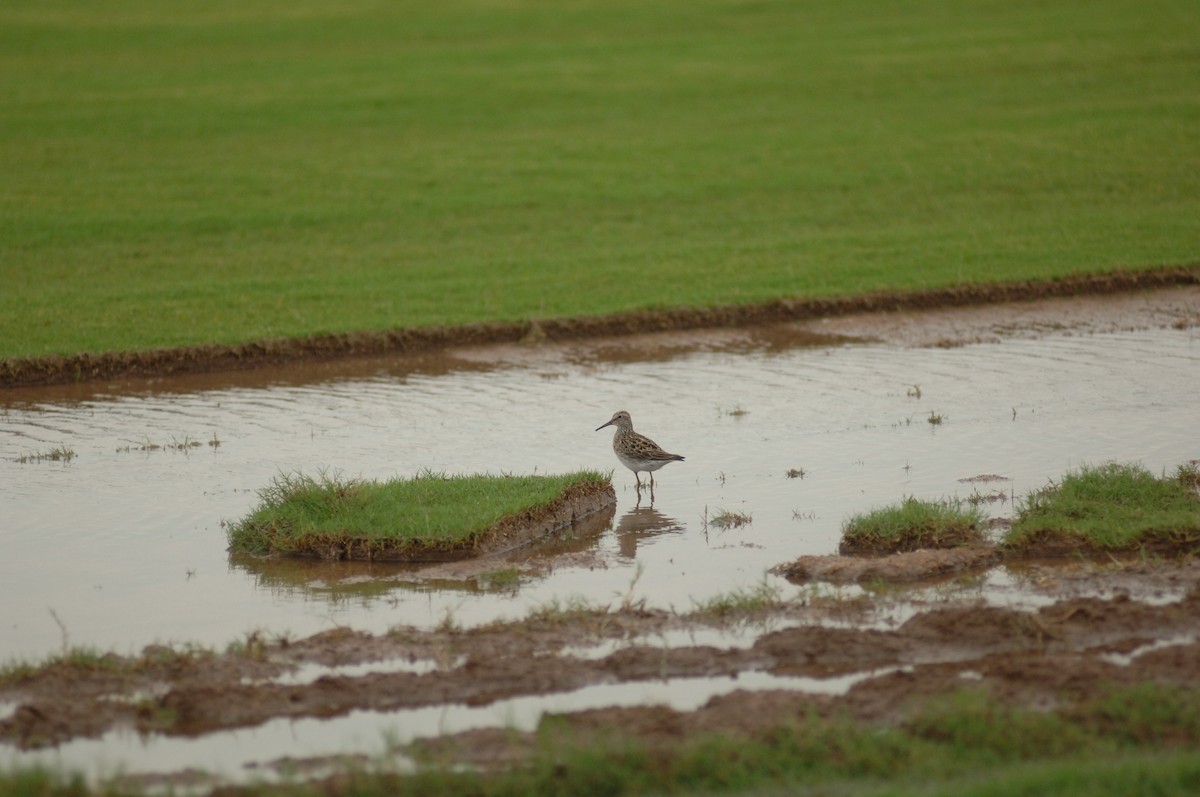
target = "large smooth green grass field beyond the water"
x: 224, y: 172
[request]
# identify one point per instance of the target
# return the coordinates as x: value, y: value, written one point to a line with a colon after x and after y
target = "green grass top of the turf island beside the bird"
x: 431, y: 511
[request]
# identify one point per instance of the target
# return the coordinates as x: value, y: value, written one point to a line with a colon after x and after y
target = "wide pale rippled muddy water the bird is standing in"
x: 124, y: 544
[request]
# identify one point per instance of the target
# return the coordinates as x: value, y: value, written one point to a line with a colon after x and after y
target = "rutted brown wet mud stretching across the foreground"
x: 1069, y: 650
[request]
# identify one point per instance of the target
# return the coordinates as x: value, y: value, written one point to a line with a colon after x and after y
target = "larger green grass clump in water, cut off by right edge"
x: 1113, y: 507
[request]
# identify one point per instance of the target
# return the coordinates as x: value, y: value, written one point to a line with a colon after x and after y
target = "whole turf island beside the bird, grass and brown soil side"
x: 429, y: 518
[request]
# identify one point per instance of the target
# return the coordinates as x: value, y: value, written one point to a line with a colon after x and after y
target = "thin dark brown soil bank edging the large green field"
x: 202, y: 359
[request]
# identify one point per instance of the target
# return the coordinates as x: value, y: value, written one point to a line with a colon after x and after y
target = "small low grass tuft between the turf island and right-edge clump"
x: 913, y: 525
